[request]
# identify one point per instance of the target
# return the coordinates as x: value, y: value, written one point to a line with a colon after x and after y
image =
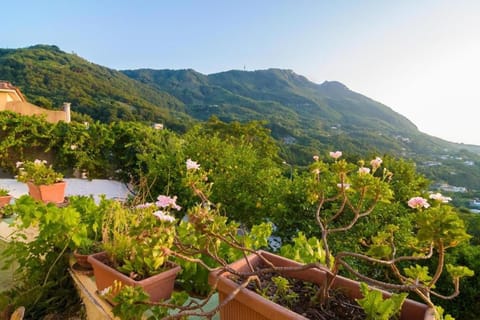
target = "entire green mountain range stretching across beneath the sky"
x: 305, y: 117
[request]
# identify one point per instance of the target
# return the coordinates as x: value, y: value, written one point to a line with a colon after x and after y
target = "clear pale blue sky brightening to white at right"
x: 419, y: 57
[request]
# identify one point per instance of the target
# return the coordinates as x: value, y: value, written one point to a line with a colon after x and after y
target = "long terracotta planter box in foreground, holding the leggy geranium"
x: 250, y: 305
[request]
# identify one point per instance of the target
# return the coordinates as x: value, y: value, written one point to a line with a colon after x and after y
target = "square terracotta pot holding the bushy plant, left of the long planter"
x: 159, y: 286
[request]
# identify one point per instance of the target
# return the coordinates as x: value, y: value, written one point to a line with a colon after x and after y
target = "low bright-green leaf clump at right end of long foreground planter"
x: 378, y: 308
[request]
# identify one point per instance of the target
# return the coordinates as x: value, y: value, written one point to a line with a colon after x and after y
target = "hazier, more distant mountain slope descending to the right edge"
x: 307, y: 117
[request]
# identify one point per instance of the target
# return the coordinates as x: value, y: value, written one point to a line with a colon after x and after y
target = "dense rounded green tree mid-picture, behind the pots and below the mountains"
x: 246, y: 179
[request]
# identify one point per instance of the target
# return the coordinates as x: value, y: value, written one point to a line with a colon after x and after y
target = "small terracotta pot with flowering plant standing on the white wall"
x: 44, y: 183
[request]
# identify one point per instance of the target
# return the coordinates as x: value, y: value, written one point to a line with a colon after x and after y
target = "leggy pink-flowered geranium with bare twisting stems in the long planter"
x: 344, y: 193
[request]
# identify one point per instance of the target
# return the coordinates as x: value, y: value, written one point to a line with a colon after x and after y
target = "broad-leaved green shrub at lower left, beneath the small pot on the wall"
x: 42, y: 281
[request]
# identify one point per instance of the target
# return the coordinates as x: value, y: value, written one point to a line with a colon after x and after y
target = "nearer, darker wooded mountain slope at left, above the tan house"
x: 48, y: 76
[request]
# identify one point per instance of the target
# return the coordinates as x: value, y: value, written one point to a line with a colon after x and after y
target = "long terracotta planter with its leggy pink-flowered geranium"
x: 343, y: 193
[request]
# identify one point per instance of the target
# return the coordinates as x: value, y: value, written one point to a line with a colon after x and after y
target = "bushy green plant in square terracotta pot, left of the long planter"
x: 136, y: 242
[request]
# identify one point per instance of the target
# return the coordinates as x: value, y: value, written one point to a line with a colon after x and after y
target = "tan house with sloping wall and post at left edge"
x: 11, y: 99
